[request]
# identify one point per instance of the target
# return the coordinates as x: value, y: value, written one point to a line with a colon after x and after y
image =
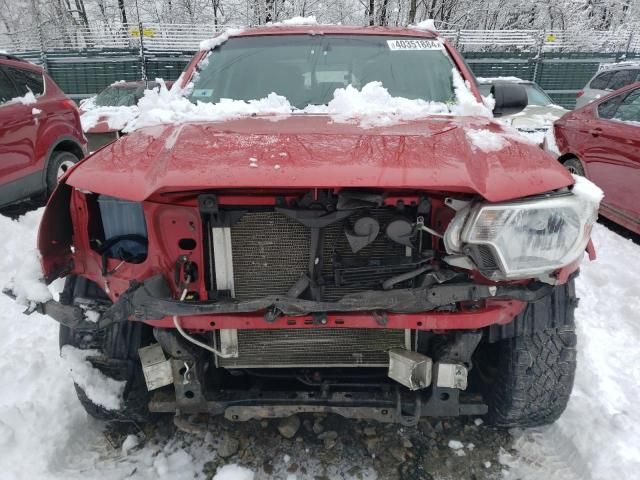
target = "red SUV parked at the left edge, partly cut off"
x: 40, y: 133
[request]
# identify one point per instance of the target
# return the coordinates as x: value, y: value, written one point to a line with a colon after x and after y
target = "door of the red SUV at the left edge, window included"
x: 19, y: 131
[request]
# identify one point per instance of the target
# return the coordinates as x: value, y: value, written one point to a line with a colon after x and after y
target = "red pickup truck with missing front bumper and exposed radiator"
x: 265, y: 265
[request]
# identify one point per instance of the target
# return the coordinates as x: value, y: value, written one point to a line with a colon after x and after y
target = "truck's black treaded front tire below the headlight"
x: 527, y: 377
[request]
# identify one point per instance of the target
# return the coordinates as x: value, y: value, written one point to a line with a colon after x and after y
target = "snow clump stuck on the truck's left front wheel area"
x: 100, y: 389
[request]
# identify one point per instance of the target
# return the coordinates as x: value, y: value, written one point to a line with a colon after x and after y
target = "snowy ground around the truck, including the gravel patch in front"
x: 45, y: 434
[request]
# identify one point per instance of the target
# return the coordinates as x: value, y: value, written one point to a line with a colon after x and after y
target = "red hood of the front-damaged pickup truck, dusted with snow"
x: 444, y: 153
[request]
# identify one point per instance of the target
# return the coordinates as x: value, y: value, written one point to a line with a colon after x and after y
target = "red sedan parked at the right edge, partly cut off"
x: 602, y: 142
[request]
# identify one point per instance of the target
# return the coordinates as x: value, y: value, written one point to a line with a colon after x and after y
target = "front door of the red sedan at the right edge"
x: 612, y: 156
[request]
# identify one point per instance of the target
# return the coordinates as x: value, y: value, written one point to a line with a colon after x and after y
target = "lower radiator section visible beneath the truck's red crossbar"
x: 314, y: 347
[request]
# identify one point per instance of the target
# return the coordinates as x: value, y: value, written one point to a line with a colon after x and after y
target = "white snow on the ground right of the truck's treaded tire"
x: 597, y: 437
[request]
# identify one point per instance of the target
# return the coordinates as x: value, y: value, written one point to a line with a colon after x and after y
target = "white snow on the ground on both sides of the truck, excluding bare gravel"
x: 45, y: 433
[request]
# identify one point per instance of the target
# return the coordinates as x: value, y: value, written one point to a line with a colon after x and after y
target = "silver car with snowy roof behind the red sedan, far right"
x: 610, y: 77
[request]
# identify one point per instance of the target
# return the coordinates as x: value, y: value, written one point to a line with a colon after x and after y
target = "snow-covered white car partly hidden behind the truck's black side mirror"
x: 535, y: 121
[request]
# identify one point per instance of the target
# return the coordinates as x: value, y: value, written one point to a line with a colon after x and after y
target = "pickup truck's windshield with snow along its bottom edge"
x: 307, y: 69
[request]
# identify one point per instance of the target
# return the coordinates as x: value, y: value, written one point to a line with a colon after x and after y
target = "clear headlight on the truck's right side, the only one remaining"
x: 522, y: 239
